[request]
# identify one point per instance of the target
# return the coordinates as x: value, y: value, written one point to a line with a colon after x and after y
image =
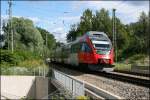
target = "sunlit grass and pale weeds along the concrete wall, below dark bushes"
x: 27, y: 67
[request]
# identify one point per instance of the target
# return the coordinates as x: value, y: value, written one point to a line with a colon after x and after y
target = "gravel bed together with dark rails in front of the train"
x: 113, y: 83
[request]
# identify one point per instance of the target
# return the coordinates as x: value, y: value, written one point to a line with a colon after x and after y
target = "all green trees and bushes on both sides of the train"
x: 31, y: 47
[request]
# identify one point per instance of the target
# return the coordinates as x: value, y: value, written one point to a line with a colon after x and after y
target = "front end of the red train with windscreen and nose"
x: 103, y: 51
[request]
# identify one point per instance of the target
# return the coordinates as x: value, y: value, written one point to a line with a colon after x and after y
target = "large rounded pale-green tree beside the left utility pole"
x: 26, y: 36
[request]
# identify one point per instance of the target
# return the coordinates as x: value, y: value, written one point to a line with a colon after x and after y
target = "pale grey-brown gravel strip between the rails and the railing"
x: 122, y: 89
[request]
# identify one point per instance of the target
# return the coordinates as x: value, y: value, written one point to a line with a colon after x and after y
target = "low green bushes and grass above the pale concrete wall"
x: 20, y: 63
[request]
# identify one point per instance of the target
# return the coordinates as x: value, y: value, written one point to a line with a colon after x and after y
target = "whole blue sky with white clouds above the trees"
x: 57, y: 16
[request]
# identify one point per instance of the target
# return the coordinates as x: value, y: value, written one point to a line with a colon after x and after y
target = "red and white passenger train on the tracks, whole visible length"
x: 93, y: 50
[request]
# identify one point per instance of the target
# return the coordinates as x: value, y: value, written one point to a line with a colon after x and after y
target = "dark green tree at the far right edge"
x: 140, y: 32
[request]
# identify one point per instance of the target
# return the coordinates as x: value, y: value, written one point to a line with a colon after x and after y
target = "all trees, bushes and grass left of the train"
x: 30, y: 47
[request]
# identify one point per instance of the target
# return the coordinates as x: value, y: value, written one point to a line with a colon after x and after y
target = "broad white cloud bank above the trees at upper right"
x: 127, y: 11
